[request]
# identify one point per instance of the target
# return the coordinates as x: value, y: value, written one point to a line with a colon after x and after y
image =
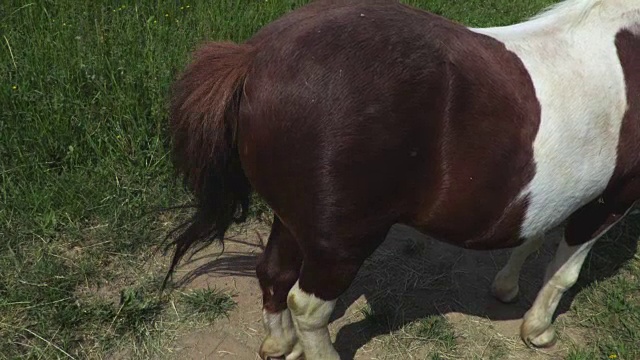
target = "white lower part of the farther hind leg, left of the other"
x: 281, y: 334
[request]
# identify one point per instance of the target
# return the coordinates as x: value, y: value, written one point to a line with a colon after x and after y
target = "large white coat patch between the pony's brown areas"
x: 572, y: 59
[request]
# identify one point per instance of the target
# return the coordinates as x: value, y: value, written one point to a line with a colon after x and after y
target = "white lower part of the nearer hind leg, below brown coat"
x: 311, y: 317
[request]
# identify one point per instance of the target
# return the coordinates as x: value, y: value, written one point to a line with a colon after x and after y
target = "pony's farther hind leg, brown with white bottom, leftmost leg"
x: 277, y: 271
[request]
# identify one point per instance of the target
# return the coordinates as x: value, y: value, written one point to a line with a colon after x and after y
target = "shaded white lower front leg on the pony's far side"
x: 505, y: 284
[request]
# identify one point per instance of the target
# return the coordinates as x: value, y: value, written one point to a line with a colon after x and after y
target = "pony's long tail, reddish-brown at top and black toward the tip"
x: 203, y: 124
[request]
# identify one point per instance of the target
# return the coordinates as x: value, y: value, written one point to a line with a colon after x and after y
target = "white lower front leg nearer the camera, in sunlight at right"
x: 561, y: 274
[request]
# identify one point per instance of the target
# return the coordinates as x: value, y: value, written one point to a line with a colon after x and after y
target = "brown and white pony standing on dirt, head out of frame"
x: 349, y: 116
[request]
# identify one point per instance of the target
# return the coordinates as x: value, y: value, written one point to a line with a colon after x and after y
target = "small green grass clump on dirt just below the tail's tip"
x: 209, y: 303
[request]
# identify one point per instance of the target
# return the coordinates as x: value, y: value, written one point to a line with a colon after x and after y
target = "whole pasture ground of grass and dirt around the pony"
x: 85, y: 180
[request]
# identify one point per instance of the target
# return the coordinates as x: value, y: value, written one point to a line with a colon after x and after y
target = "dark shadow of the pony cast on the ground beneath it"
x: 410, y: 277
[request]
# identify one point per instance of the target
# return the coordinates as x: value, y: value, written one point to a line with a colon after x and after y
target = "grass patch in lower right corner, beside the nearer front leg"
x: 609, y: 309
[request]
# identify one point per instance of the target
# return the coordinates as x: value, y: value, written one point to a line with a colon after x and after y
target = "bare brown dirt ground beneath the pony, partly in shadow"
x: 408, y: 278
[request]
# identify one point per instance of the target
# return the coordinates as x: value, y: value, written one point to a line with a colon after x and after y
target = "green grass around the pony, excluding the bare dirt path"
x: 84, y: 170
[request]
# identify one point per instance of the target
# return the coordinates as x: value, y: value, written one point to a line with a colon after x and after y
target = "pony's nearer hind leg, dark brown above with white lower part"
x: 327, y: 272
